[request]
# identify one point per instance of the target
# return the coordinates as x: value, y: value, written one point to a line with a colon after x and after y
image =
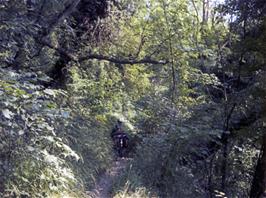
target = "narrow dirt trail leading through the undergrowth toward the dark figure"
x: 104, y: 184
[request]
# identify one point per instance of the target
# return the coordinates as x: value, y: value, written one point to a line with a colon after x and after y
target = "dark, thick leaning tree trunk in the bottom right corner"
x: 258, y: 188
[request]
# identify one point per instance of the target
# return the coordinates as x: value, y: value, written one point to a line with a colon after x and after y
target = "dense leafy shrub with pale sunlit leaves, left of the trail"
x: 47, y: 148
